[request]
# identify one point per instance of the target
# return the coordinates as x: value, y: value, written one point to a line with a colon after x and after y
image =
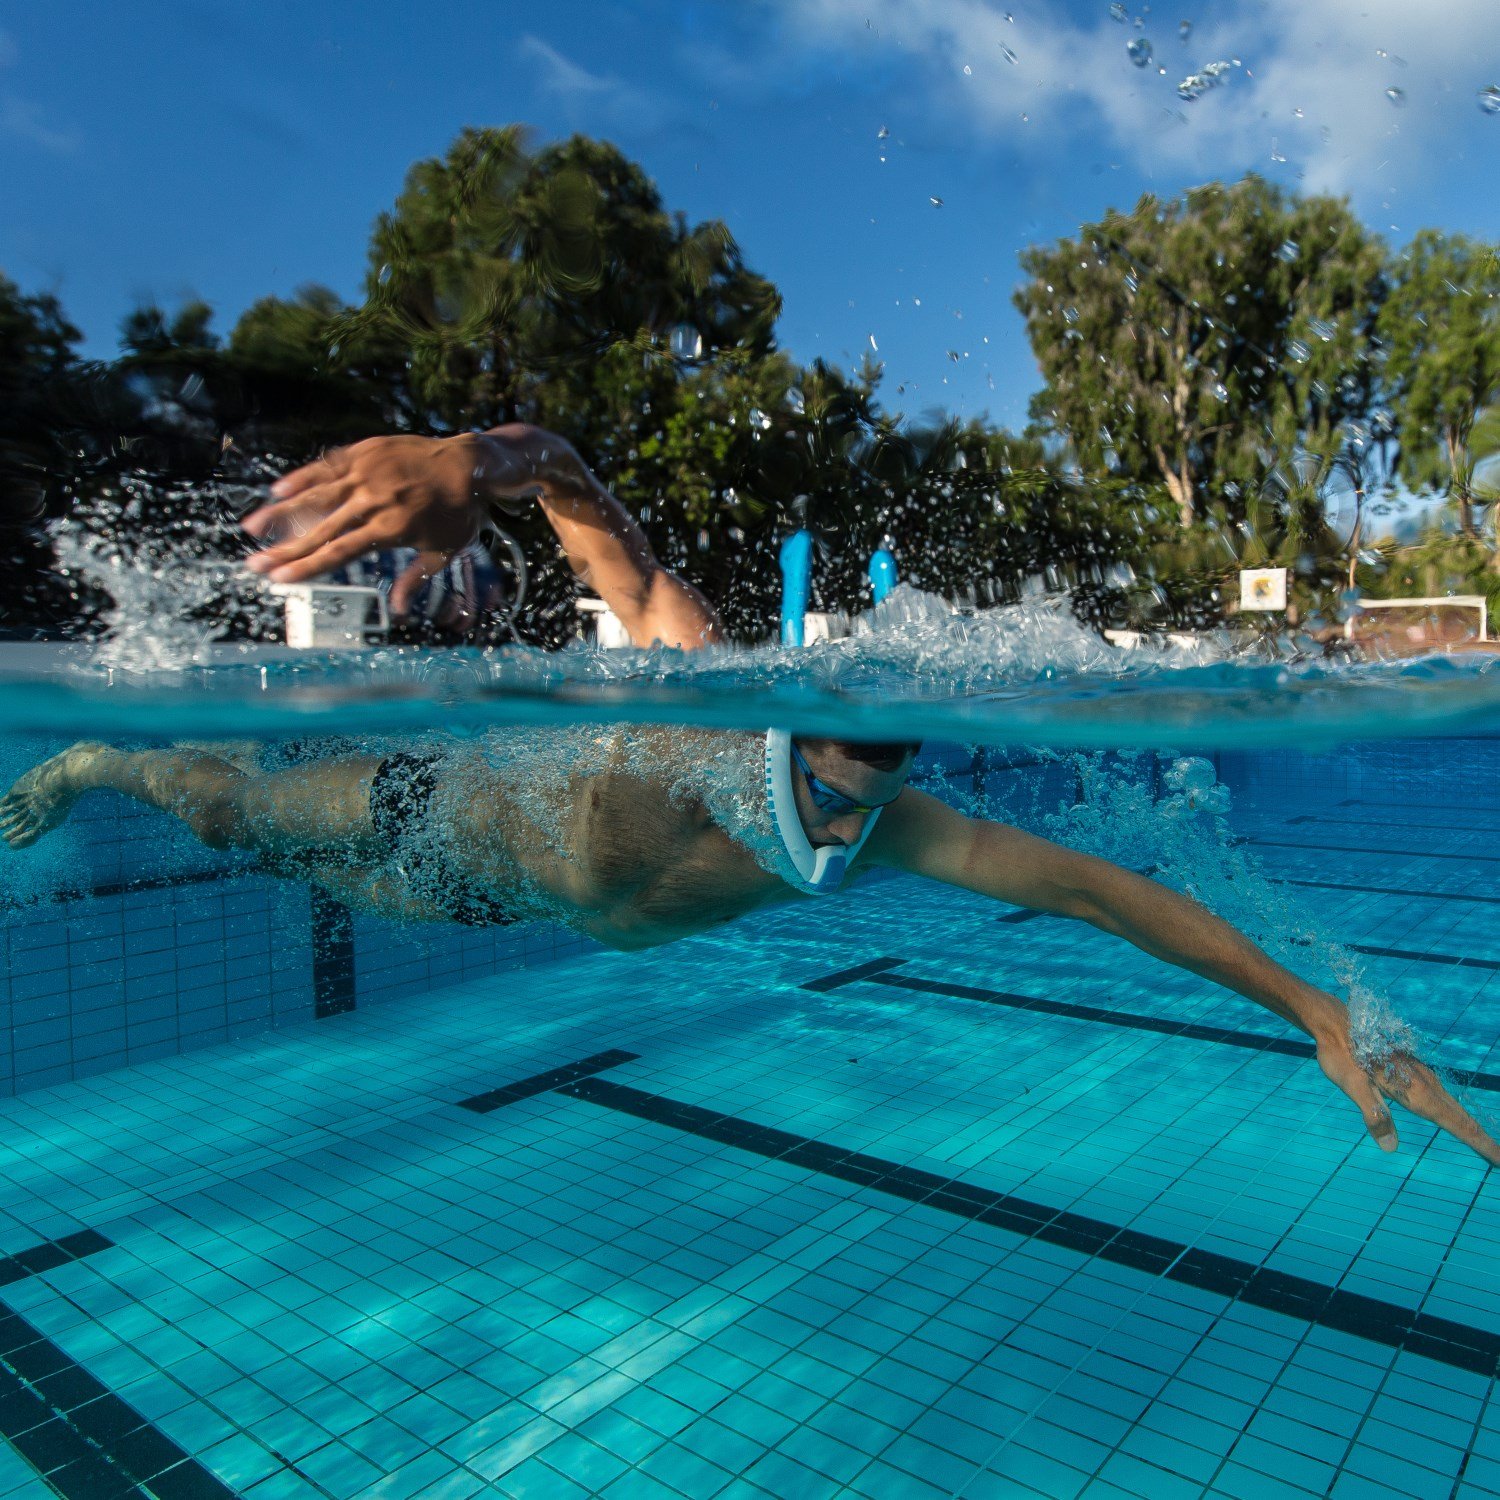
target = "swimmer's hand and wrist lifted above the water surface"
x: 431, y: 494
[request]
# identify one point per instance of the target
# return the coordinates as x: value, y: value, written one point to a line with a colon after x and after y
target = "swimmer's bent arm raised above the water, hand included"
x: 434, y: 494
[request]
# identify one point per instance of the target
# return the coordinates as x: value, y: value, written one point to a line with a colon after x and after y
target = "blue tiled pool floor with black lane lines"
x: 328, y: 1277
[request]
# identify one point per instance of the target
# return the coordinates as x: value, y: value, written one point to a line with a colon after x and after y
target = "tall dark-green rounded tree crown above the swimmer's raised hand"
x: 505, y: 272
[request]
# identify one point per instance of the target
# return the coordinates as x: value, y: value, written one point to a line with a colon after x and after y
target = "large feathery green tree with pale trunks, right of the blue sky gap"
x: 1195, y: 343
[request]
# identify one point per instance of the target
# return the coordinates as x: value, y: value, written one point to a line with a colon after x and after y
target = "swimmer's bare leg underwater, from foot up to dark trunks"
x: 323, y: 805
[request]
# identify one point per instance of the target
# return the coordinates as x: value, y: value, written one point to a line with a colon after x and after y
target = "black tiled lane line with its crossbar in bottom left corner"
x: 68, y: 1426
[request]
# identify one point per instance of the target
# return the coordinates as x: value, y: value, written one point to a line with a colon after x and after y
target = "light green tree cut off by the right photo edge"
x: 1441, y: 326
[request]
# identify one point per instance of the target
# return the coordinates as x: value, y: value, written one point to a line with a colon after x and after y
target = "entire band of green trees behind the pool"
x: 1216, y: 370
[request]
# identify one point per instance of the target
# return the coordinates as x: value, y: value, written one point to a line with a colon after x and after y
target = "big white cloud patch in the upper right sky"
x: 1312, y: 85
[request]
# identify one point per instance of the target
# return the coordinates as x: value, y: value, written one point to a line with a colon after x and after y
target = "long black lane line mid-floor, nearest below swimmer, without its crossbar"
x: 1373, y: 1319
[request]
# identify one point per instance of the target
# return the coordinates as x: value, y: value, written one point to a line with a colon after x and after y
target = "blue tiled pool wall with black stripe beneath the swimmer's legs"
x: 143, y: 944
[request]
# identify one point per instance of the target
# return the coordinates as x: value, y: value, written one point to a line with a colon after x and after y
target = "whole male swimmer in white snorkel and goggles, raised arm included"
x: 611, y: 844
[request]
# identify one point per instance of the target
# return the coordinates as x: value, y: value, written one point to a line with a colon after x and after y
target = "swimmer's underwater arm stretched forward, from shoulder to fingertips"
x: 925, y: 836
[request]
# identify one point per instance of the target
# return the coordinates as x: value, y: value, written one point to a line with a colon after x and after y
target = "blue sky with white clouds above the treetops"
x: 232, y: 149
